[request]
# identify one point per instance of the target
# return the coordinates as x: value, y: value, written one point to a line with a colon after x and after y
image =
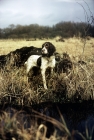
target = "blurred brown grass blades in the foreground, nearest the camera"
x: 14, y: 126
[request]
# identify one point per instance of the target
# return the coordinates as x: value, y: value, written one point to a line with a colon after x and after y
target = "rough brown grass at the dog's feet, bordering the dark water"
x: 77, y: 85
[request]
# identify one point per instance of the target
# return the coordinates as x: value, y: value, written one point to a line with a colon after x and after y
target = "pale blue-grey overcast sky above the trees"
x: 43, y: 12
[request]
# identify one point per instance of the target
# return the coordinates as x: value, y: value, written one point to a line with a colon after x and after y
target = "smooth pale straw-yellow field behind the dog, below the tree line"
x: 73, y: 46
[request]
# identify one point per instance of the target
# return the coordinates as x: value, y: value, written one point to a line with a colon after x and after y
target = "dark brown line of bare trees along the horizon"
x: 63, y: 29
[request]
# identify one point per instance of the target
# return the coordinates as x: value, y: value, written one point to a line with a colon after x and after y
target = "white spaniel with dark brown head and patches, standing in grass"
x: 47, y: 59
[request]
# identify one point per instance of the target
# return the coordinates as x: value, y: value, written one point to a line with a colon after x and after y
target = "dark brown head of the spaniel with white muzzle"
x: 48, y: 49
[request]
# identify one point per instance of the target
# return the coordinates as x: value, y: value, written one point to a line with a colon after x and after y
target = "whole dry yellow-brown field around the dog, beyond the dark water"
x: 79, y: 84
